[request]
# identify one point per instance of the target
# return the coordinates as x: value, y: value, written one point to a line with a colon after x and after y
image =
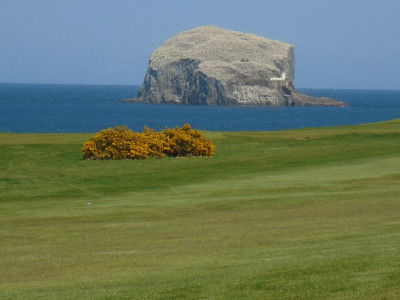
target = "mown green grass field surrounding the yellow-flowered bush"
x: 300, y: 214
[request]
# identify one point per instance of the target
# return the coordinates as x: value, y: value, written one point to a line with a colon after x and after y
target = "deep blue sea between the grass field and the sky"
x: 90, y: 108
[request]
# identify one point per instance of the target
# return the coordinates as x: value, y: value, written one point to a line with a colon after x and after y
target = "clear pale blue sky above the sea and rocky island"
x: 338, y: 43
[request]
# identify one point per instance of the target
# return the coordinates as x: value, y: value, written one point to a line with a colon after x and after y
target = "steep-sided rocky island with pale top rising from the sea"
x: 213, y: 66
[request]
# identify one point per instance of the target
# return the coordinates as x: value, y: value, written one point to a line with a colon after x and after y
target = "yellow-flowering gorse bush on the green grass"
x: 120, y: 143
